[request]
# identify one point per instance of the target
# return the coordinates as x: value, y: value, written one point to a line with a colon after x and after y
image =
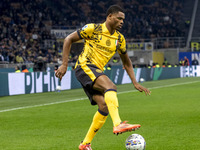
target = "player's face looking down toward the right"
x: 118, y: 20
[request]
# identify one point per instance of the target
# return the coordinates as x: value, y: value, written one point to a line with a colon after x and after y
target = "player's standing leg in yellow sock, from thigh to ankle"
x: 98, y: 120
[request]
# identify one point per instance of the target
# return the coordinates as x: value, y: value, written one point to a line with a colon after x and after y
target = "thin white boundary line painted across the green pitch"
x: 79, y: 99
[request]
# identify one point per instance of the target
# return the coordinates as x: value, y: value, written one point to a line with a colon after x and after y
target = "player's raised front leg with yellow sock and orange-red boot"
x: 104, y: 84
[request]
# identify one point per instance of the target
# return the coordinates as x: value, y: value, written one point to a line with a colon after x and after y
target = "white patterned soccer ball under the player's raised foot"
x: 135, y: 142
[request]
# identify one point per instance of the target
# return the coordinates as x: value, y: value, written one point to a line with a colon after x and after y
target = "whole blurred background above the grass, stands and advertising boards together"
x: 160, y: 34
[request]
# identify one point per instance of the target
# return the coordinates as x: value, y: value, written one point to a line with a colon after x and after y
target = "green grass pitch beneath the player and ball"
x: 169, y: 118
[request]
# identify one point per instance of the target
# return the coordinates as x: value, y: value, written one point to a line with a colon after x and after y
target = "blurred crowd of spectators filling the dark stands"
x: 26, y: 24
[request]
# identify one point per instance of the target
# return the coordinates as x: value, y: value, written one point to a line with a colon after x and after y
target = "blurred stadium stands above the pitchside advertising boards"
x: 155, y: 30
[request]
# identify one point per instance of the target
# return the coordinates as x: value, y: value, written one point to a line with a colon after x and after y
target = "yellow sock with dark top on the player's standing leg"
x: 97, y: 123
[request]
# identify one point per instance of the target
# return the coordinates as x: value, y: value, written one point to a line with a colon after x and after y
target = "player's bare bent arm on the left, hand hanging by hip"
x: 73, y: 37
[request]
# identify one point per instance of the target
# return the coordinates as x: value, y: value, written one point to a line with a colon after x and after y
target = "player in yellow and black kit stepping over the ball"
x: 101, y: 42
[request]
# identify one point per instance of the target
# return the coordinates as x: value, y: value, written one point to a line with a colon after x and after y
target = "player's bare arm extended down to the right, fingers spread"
x: 129, y: 69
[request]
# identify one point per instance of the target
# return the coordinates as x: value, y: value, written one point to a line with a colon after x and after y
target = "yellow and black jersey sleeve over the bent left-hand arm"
x: 86, y: 31
